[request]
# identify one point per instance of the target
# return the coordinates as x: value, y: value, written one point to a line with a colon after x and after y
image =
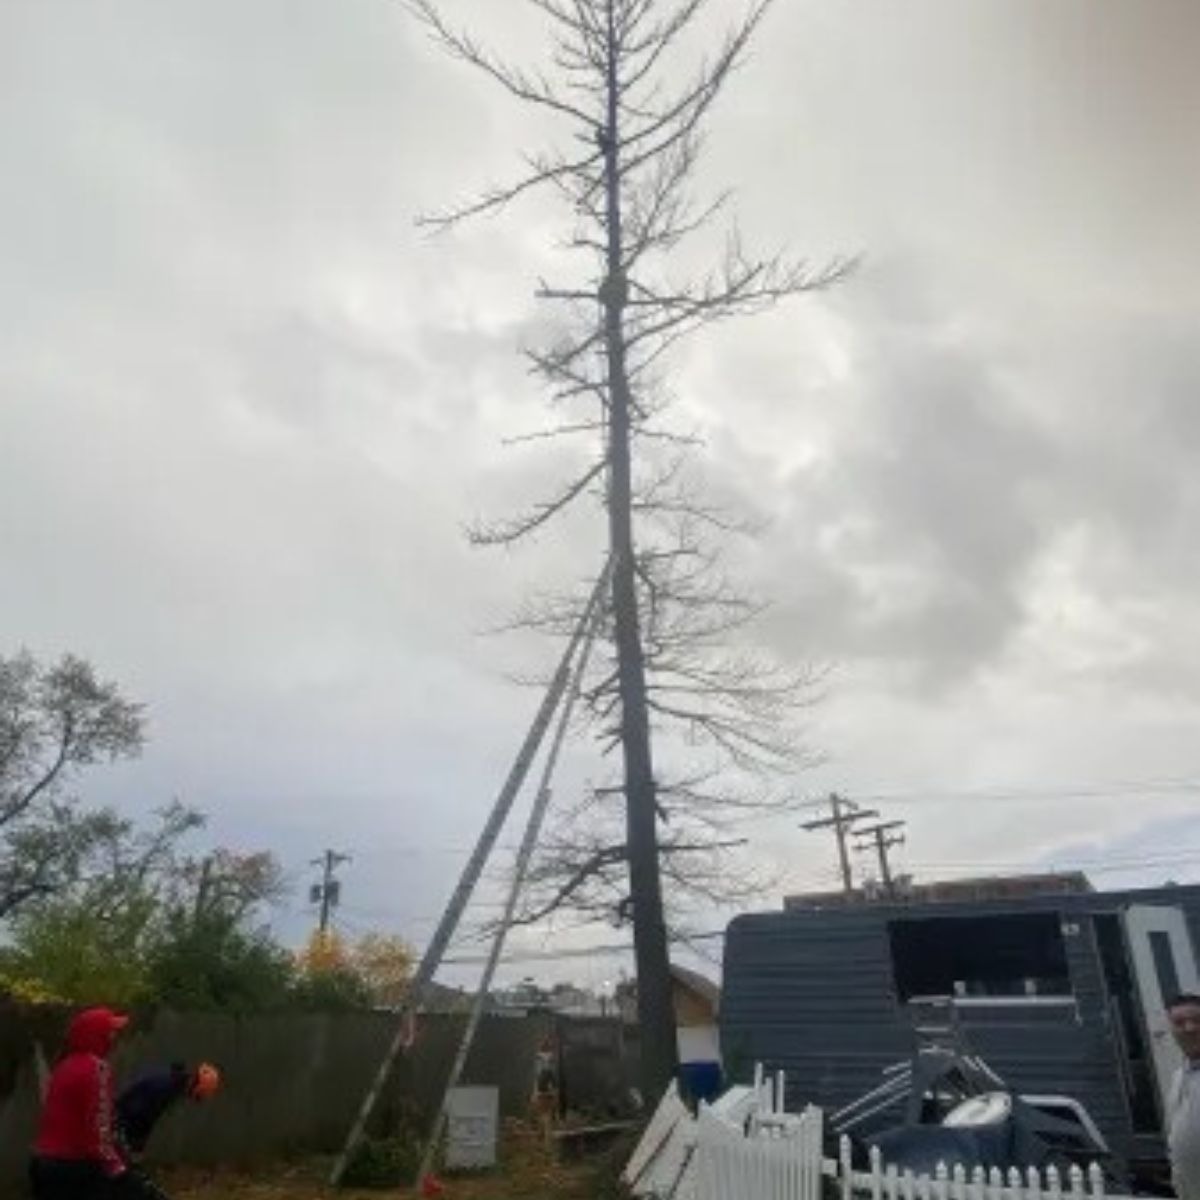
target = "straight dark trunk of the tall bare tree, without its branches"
x: 656, y: 1010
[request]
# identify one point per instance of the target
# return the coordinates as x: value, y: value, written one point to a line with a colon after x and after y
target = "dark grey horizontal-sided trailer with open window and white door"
x: 1061, y: 989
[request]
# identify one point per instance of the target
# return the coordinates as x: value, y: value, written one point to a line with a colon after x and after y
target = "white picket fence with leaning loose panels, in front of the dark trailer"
x: 747, y: 1147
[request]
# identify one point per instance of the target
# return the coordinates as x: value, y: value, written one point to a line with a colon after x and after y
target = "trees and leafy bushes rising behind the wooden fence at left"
x: 97, y: 908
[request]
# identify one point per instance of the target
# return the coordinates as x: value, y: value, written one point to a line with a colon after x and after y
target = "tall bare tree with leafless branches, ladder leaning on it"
x: 637, y: 122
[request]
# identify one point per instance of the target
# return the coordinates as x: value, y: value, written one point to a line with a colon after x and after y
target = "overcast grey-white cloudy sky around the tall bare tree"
x: 247, y: 411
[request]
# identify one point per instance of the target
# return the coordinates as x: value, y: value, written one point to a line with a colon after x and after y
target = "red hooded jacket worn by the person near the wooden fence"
x: 77, y: 1117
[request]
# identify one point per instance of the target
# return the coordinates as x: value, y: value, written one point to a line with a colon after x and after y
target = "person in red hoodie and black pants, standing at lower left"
x: 75, y: 1155
